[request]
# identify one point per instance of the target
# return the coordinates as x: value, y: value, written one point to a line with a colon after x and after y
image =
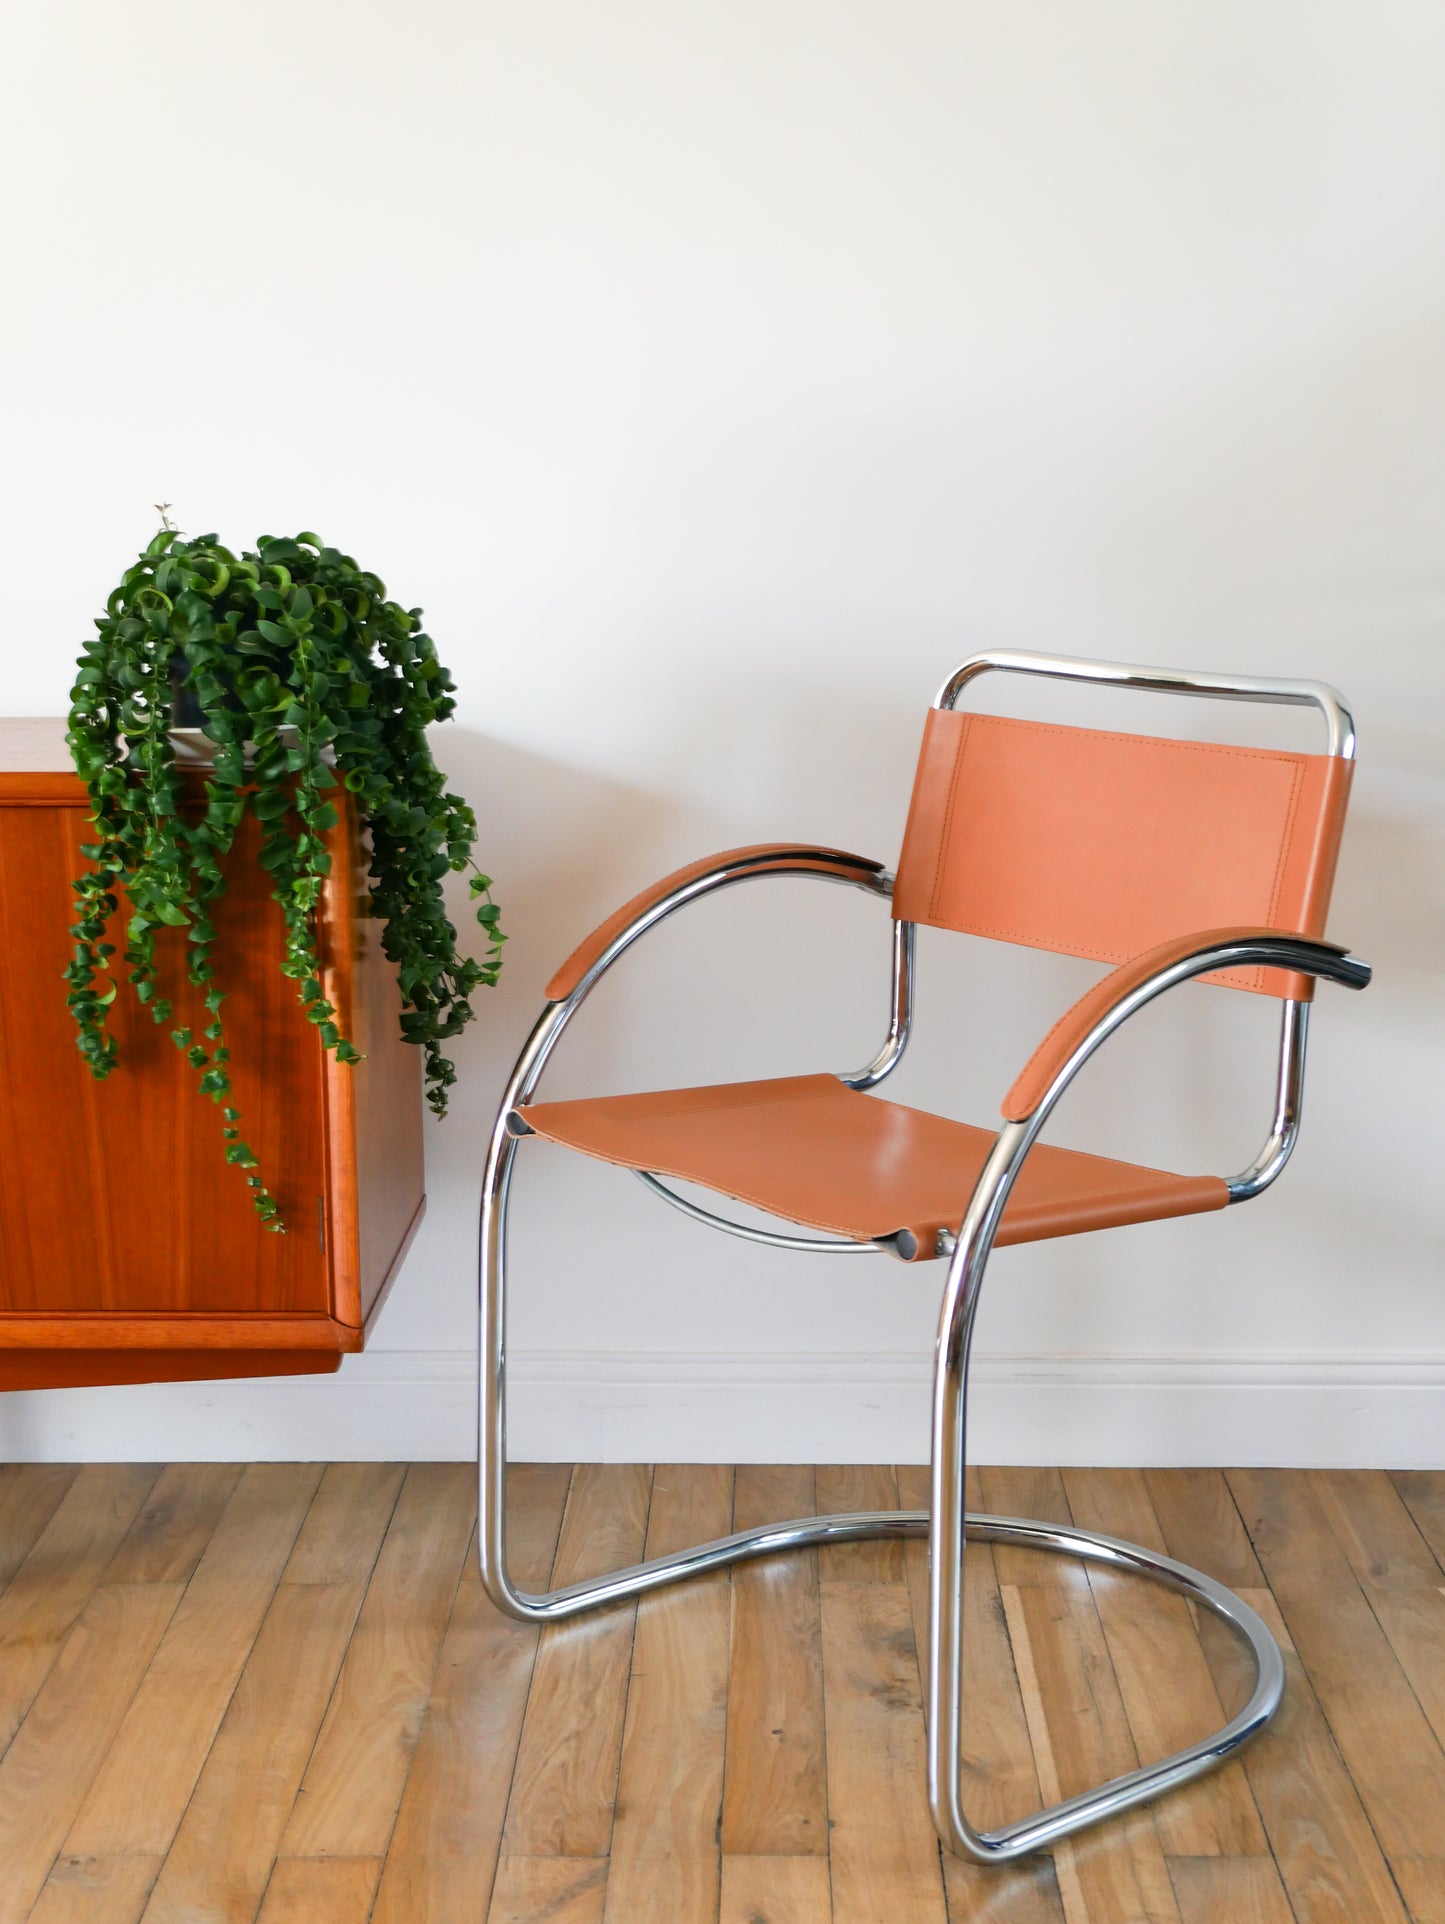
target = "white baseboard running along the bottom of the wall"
x: 846, y: 1407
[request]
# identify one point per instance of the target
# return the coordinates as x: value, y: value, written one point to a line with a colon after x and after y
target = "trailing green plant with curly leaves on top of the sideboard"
x: 305, y: 676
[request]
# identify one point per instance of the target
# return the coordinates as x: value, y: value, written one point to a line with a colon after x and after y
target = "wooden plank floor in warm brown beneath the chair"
x: 280, y: 1694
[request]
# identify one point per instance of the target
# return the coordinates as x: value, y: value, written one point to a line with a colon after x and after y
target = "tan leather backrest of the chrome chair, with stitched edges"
x: 1102, y: 846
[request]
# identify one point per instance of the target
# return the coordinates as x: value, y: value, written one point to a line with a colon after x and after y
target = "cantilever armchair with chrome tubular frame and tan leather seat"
x: 1169, y: 859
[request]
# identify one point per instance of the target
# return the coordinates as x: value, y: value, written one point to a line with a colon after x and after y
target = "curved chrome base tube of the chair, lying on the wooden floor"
x: 1053, y: 1823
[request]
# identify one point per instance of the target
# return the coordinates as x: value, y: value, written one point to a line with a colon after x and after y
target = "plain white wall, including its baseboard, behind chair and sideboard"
x: 717, y: 376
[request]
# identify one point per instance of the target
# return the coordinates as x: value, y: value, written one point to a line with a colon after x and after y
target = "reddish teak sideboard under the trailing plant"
x: 128, y: 1246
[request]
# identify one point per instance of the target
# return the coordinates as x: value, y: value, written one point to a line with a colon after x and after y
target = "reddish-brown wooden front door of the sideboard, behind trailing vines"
x: 116, y: 1198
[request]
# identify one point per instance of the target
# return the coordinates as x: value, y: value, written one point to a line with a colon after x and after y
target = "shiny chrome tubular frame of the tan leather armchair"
x: 946, y: 1523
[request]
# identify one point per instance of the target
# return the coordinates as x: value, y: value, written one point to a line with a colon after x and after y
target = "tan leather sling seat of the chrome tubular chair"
x: 819, y: 1153
